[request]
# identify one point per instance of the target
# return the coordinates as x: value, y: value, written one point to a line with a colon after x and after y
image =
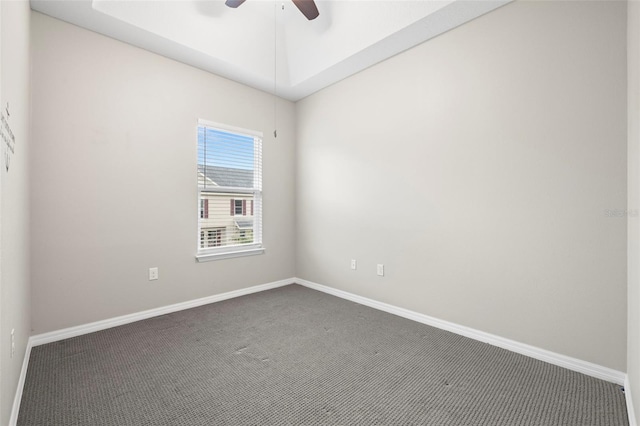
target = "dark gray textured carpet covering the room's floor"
x: 295, y: 356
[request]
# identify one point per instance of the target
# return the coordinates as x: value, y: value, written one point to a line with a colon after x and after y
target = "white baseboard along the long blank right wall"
x: 570, y: 363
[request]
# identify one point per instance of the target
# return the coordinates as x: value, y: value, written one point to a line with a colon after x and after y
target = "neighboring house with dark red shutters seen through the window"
x: 225, y: 218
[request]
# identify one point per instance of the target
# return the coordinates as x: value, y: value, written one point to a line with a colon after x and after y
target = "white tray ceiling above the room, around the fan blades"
x: 264, y: 38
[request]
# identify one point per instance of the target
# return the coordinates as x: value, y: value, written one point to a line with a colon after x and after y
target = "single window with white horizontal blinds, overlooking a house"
x: 229, y: 191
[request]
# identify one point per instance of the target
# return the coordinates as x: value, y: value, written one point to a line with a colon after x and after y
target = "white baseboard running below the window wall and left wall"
x: 54, y: 336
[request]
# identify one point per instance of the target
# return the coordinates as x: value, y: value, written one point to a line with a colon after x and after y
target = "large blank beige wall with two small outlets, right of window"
x: 486, y: 169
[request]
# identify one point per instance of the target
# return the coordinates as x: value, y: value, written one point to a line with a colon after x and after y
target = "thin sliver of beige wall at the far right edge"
x: 633, y: 225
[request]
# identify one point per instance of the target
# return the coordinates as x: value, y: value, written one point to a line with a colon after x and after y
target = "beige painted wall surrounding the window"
x: 114, y: 178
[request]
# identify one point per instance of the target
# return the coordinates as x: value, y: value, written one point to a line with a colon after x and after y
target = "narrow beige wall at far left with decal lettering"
x: 14, y: 216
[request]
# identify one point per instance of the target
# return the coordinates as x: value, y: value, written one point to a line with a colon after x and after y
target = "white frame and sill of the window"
x: 231, y: 251
